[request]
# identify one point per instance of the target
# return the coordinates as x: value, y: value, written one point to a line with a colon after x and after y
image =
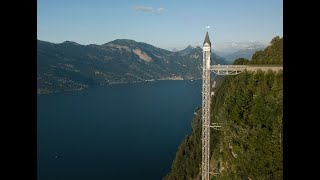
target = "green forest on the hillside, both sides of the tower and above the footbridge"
x: 249, y: 145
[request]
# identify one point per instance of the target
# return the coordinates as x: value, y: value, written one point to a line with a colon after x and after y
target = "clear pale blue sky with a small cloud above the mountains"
x: 166, y: 24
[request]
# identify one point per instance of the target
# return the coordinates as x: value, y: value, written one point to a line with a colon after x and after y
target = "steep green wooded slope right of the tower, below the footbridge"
x: 249, y: 146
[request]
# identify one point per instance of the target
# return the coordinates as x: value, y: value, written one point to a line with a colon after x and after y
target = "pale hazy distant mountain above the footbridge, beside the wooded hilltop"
x: 243, y: 53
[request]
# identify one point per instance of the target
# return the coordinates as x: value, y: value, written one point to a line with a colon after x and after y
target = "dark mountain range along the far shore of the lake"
x: 71, y: 66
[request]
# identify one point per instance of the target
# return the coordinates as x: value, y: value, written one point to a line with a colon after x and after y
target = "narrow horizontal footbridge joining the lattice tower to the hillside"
x: 236, y: 69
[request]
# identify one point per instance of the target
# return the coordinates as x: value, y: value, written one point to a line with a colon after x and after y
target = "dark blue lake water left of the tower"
x: 129, y: 131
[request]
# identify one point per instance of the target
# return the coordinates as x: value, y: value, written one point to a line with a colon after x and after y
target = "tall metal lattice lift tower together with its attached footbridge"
x: 206, y: 98
